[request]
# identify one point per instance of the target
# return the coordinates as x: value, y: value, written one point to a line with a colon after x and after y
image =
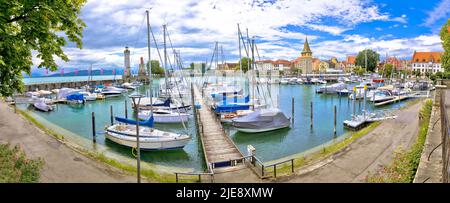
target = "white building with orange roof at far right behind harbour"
x: 427, y: 62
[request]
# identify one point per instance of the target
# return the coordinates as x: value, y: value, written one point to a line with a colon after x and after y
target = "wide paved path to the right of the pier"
x: 366, y: 154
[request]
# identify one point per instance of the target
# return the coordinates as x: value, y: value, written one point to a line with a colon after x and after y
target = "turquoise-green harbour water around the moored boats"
x: 269, y: 146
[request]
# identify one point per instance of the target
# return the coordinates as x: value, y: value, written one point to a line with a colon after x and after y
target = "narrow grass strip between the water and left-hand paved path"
x: 151, y: 175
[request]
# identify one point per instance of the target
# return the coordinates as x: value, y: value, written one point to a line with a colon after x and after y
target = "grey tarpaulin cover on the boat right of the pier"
x: 264, y: 118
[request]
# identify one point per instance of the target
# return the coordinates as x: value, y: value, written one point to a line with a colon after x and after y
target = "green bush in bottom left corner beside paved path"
x: 16, y: 168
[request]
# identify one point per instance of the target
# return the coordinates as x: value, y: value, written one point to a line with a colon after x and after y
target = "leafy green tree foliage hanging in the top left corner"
x: 40, y: 26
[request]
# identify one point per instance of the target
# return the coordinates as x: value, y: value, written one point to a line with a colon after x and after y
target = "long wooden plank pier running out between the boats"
x: 220, y: 151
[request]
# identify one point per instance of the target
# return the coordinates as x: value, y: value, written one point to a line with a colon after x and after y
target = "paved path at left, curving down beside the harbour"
x: 62, y: 164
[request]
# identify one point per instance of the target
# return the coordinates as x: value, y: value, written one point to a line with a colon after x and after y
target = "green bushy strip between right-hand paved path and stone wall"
x: 404, y: 165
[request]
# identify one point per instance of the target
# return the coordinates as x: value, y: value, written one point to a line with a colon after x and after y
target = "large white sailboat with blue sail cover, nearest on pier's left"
x: 125, y: 133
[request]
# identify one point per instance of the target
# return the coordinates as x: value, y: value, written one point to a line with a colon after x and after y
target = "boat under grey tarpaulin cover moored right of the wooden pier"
x: 261, y: 120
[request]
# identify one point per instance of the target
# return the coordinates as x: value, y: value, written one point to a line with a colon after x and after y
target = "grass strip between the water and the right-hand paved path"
x: 285, y: 169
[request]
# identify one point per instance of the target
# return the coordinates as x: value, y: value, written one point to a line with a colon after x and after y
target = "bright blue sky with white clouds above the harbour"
x: 334, y: 28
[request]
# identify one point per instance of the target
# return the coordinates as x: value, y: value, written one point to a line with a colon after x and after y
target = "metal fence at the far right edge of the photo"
x: 445, y: 139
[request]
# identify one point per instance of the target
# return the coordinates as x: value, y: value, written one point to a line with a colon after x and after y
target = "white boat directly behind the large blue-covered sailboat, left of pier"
x: 164, y: 116
